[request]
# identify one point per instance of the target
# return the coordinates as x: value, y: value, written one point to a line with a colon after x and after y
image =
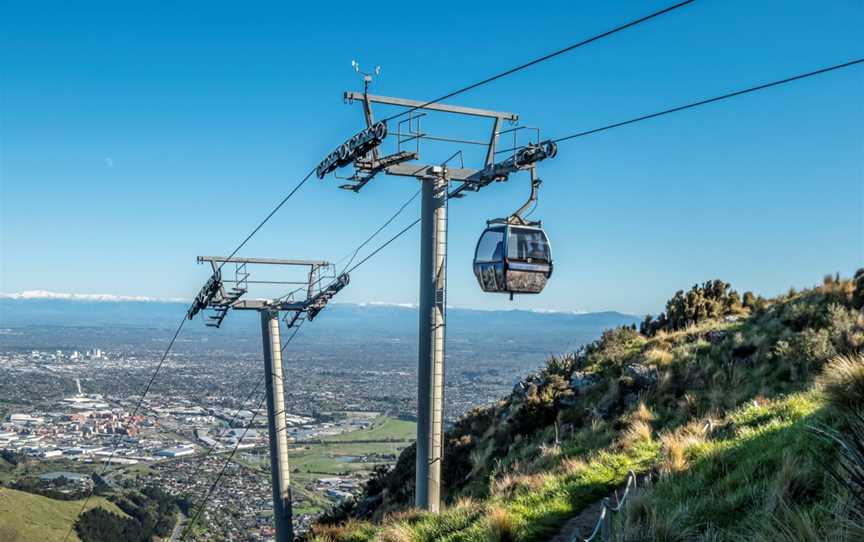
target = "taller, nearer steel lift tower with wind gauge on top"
x: 362, y: 151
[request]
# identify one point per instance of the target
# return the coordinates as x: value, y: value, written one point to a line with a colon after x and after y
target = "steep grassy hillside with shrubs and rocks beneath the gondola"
x: 732, y: 408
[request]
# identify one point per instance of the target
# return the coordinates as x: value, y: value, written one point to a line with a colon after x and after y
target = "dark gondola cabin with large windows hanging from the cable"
x: 513, y: 259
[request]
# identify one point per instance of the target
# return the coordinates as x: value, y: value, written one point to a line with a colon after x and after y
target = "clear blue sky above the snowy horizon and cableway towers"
x: 136, y: 137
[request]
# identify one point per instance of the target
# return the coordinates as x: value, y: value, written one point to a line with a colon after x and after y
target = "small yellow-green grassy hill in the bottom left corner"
x: 25, y: 517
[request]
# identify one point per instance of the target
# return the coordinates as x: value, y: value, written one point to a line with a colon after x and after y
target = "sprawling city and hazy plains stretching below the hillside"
x: 70, y: 394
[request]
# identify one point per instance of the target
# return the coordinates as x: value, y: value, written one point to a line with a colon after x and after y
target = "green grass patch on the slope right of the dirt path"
x: 766, y: 457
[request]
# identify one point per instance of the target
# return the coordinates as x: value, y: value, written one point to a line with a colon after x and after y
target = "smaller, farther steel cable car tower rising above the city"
x: 302, y: 303
